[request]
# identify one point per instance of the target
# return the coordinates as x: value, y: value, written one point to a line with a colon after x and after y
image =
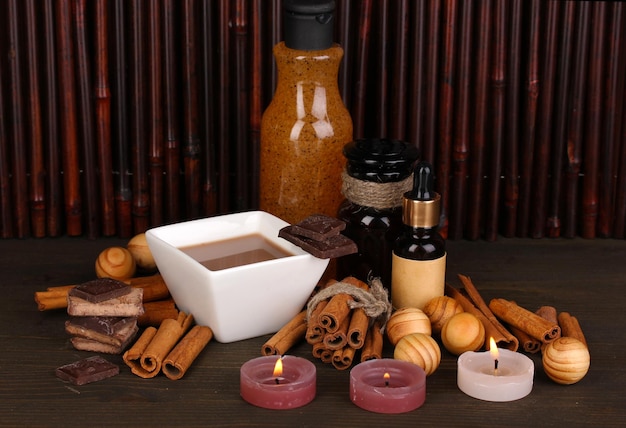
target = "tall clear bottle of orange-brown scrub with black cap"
x: 306, y: 125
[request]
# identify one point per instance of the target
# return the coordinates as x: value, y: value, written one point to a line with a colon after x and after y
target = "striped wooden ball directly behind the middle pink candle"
x: 420, y: 349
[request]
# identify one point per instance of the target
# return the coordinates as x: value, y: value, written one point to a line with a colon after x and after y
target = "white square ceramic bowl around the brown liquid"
x: 240, y: 302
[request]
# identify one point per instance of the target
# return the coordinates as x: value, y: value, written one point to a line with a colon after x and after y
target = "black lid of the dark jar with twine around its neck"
x: 380, y: 160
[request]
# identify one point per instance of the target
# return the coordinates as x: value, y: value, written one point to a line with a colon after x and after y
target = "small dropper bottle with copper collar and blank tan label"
x: 418, y: 266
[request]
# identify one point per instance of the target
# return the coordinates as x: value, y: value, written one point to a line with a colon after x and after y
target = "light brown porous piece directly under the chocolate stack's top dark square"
x: 128, y: 305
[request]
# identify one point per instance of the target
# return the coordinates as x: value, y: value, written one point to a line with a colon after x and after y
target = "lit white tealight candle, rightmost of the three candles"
x: 505, y: 376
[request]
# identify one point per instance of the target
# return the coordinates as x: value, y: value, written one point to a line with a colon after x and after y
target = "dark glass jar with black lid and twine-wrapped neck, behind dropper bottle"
x: 378, y: 173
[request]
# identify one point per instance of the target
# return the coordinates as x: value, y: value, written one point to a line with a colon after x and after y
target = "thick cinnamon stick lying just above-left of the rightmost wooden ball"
x: 525, y: 320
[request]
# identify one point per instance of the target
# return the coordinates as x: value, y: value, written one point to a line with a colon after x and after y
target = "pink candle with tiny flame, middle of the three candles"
x: 388, y: 386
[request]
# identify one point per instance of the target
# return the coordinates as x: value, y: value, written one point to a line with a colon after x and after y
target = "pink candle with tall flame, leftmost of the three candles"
x: 265, y: 384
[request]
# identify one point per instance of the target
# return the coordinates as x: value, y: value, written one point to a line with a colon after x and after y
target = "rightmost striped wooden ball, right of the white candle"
x: 566, y: 360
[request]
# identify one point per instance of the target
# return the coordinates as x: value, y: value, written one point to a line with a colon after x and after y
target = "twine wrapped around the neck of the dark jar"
x: 380, y: 196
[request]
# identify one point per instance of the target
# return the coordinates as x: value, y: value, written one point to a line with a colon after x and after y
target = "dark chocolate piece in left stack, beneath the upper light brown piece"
x: 110, y: 330
